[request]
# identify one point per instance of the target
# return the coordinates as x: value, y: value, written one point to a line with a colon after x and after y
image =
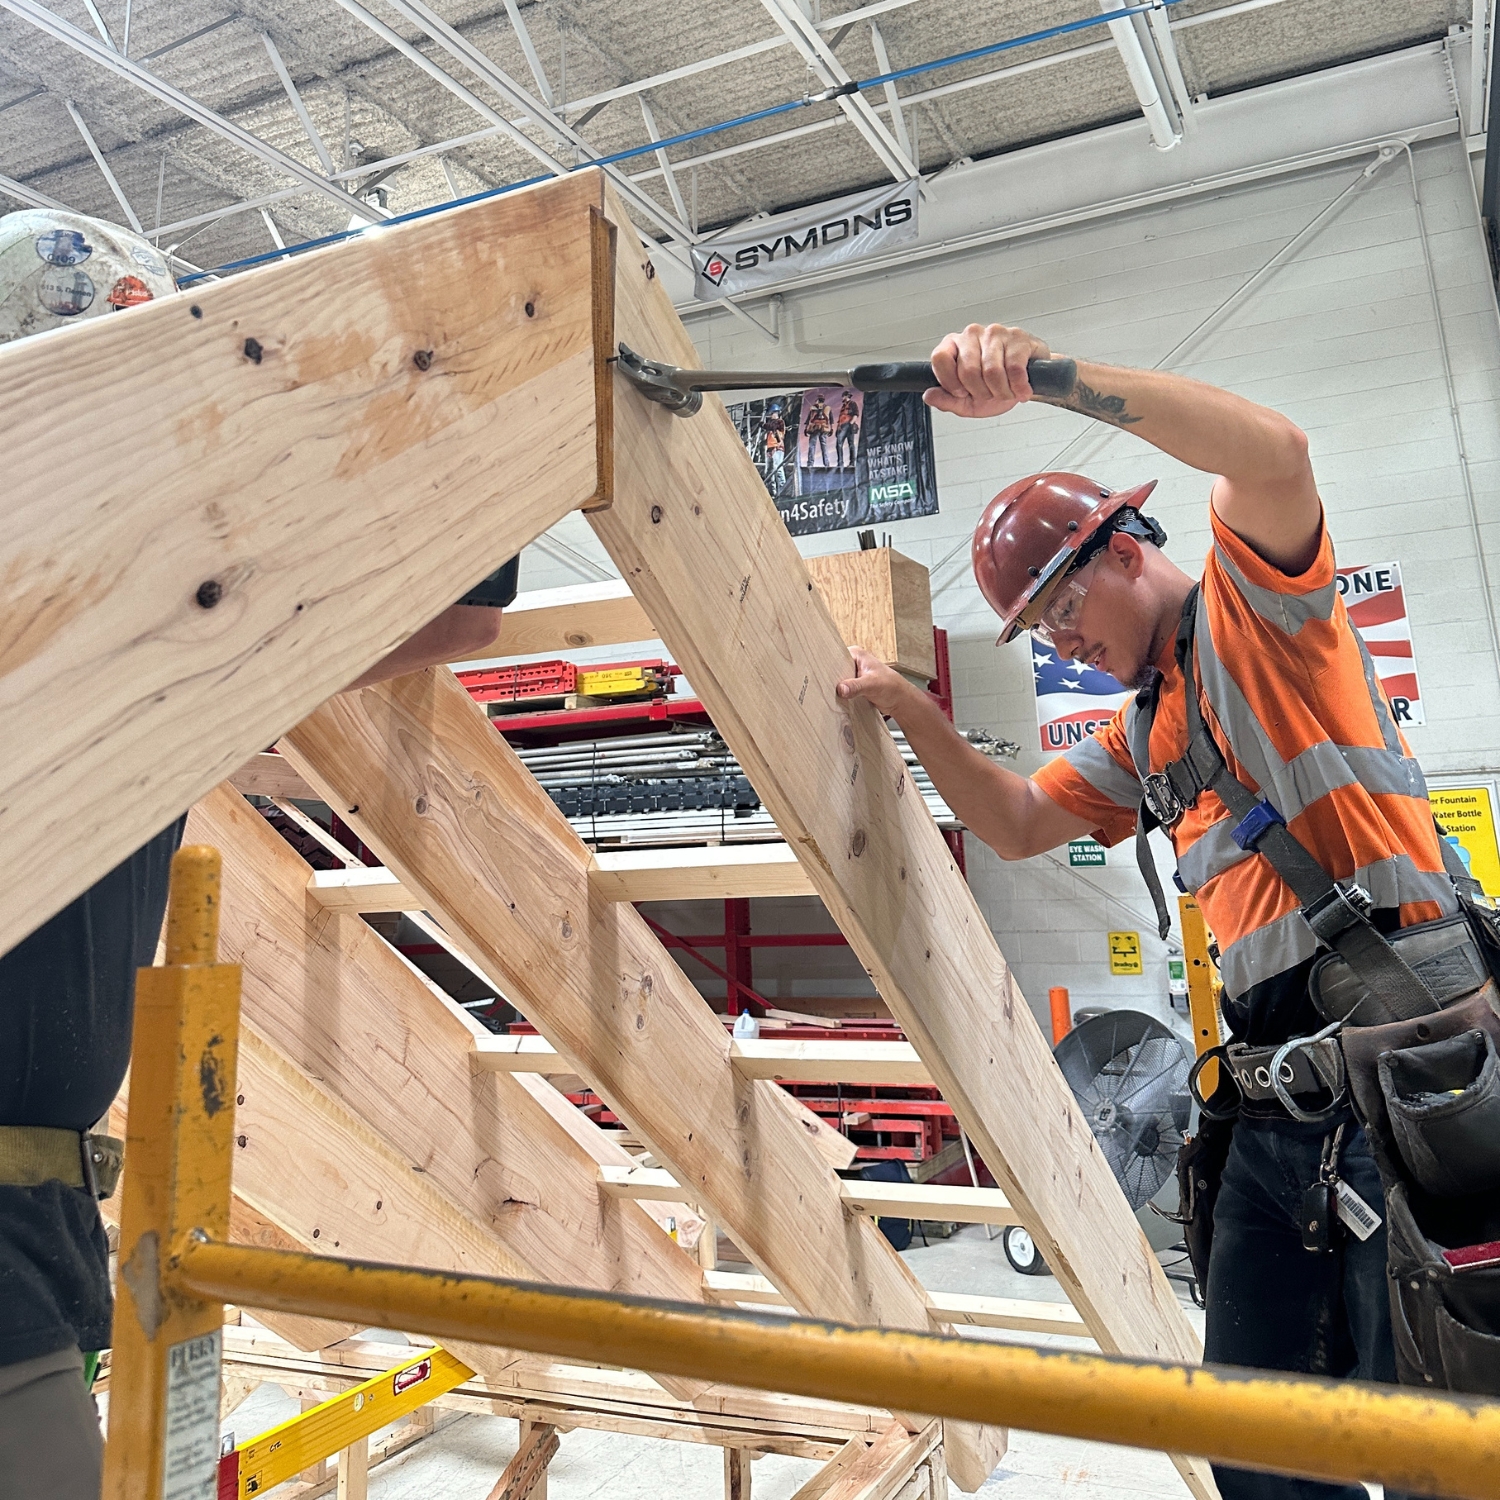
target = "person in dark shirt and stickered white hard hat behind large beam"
x: 68, y: 991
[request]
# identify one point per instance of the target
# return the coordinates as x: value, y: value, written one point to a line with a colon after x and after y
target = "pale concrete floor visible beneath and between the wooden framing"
x: 464, y: 1460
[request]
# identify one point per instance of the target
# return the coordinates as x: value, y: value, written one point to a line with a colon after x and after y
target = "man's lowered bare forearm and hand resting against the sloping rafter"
x: 1013, y: 815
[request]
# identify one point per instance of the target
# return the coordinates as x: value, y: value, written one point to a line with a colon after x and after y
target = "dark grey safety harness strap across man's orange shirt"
x: 1337, y: 911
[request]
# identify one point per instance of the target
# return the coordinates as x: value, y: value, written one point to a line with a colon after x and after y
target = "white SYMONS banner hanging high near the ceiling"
x: 809, y: 241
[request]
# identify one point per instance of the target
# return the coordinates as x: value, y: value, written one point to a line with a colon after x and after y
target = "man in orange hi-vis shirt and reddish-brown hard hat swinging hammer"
x: 1286, y: 703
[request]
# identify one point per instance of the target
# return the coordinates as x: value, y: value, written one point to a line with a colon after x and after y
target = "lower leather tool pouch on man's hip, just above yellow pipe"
x: 1447, y: 1322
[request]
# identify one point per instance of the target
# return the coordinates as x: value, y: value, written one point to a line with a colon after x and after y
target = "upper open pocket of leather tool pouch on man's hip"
x: 1444, y: 1103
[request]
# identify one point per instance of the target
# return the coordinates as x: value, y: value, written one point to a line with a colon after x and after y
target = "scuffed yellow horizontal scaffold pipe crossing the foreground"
x: 1330, y: 1430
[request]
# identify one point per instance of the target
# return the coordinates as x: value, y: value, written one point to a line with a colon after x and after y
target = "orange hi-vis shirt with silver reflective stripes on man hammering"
x: 1292, y: 700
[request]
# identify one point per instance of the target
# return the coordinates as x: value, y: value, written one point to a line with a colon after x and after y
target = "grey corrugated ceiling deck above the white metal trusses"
x: 370, y: 103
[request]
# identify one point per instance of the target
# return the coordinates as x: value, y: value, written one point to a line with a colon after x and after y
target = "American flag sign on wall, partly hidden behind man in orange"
x: 1075, y: 700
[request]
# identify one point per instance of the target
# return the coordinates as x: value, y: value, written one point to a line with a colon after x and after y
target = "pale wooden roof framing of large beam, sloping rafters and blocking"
x: 337, y: 493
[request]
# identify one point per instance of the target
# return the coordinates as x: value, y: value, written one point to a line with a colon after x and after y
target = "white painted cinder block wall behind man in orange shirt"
x: 1340, y: 337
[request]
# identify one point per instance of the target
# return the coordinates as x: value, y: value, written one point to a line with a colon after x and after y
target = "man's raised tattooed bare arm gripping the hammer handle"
x: 1265, y: 491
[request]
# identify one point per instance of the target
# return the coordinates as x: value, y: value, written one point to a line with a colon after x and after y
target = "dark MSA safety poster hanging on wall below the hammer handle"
x: 836, y: 458
